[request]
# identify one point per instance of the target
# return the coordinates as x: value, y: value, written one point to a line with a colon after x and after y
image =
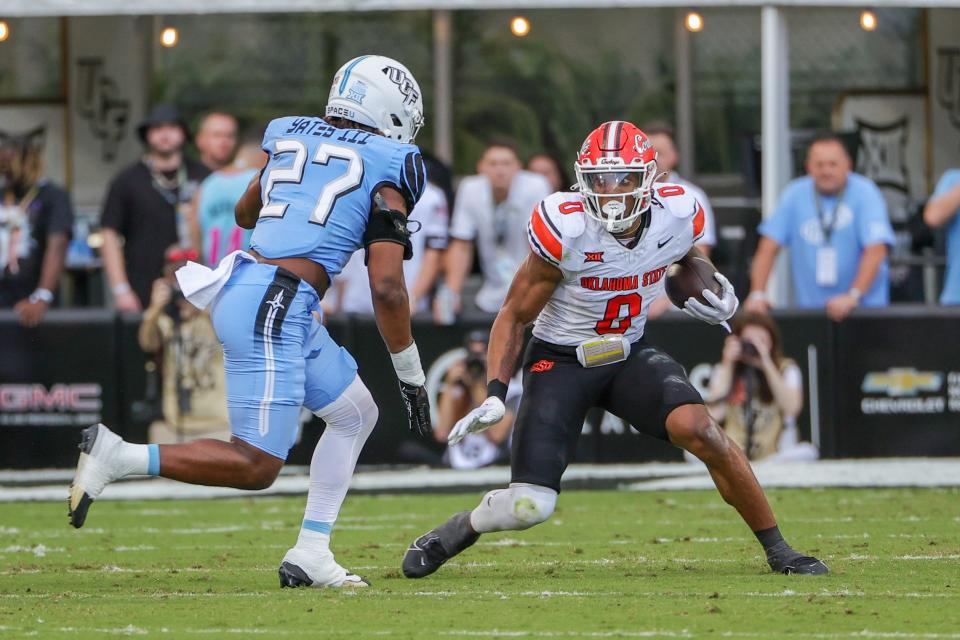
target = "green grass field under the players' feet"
x: 608, y: 564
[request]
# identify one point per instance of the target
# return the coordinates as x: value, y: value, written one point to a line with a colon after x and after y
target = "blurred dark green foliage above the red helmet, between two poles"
x: 534, y: 92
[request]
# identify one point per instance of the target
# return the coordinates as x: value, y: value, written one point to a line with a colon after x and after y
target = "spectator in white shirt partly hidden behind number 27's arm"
x: 420, y: 273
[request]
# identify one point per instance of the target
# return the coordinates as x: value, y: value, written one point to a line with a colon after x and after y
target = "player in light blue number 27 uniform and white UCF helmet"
x: 331, y: 186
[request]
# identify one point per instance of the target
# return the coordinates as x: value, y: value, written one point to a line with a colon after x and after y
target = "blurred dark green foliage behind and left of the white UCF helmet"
x: 260, y: 67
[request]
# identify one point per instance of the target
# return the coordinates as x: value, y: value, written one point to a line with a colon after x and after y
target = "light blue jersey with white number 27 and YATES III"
x: 317, y: 188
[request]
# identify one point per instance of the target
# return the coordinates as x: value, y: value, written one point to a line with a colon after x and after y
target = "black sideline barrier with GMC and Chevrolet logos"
x: 884, y: 383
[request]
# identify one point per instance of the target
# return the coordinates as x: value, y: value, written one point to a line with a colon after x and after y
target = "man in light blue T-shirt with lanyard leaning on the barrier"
x: 835, y: 223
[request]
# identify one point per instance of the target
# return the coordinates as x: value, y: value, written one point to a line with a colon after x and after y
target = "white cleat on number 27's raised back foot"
x: 99, y: 465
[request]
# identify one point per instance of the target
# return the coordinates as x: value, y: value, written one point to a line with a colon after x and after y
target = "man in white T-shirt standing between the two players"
x: 492, y: 209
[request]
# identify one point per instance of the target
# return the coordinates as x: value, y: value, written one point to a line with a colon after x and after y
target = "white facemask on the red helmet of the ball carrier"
x: 616, y: 196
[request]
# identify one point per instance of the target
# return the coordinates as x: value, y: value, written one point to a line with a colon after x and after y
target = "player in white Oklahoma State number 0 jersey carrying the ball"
x: 598, y: 257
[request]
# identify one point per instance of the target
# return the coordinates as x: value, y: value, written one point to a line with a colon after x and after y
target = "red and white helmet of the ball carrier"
x: 615, y: 156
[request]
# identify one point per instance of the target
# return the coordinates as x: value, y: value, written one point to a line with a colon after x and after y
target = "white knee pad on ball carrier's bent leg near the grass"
x: 518, y: 507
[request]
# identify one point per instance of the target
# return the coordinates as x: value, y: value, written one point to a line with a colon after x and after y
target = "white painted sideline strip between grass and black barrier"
x: 51, y: 485
